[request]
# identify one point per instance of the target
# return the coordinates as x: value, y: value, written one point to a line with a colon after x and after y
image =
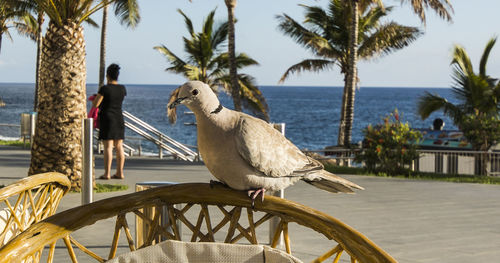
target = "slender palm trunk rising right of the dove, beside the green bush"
x: 347, y: 113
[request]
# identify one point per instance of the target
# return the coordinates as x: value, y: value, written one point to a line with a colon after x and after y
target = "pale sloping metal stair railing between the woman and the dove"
x: 163, y: 141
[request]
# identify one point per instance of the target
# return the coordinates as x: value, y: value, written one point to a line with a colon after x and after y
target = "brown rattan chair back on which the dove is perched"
x: 206, y: 212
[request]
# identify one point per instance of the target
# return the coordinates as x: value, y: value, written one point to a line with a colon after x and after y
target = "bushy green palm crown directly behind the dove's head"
x: 208, y: 63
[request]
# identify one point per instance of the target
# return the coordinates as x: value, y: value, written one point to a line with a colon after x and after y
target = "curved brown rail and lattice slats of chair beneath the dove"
x: 61, y: 225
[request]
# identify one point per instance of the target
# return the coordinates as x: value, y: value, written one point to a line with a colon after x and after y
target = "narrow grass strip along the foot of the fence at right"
x: 455, y: 178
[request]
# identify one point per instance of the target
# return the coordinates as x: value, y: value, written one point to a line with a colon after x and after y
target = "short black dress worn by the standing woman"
x: 111, y: 124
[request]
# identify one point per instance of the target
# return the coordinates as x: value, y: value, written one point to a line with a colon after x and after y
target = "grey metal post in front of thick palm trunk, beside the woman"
x: 87, y: 150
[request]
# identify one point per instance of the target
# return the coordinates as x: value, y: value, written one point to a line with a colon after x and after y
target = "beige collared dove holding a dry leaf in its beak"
x: 247, y: 153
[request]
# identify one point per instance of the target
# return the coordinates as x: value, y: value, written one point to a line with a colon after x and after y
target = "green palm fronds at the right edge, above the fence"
x: 477, y: 94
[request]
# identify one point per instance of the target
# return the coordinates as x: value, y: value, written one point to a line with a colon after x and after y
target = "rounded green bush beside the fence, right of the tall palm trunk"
x: 389, y: 146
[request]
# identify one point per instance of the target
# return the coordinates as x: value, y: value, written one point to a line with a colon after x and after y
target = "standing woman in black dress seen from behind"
x: 109, y: 99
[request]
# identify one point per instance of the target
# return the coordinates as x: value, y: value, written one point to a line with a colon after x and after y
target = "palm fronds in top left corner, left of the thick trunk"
x: 12, y: 17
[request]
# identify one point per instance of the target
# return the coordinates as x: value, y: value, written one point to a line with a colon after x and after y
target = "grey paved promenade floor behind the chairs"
x: 414, y: 221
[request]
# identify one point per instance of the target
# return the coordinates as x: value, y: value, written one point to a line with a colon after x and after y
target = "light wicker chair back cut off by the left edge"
x: 29, y: 201
